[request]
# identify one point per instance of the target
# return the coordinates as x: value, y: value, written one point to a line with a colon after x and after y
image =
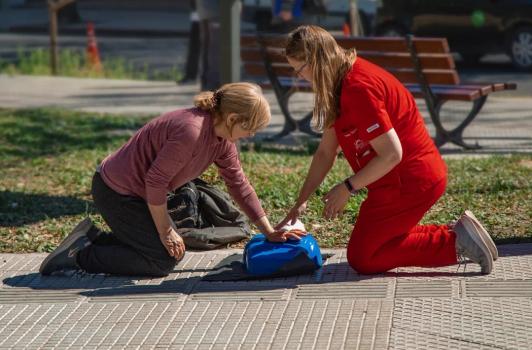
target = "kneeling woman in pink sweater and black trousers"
x: 130, y: 186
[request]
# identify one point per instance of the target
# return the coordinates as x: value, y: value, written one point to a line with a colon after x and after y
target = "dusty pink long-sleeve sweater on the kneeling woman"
x: 171, y: 150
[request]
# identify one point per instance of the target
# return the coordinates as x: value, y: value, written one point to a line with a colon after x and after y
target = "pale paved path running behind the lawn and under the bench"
x: 503, y: 126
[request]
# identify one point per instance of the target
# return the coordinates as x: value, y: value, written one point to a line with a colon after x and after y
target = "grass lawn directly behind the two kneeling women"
x: 47, y: 158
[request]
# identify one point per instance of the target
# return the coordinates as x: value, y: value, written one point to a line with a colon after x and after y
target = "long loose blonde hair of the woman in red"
x: 328, y: 63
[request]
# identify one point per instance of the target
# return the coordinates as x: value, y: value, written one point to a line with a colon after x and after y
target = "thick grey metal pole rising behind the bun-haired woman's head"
x: 229, y: 41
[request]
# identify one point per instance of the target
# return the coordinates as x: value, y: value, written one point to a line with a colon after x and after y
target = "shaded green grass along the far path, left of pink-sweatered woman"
x: 39, y: 132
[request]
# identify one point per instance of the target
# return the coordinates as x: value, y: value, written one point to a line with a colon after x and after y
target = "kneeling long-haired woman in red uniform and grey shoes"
x: 368, y: 114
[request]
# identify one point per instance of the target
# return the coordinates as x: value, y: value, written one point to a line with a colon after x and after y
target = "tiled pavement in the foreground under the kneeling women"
x: 333, y: 309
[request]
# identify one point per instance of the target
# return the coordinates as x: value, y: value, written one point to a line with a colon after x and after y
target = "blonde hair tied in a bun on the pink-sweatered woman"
x: 244, y: 99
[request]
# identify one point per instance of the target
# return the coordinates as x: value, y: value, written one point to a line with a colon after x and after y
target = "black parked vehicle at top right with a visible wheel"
x: 472, y: 27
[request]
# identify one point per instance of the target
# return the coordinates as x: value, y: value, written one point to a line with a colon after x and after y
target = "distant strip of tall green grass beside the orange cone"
x: 73, y: 63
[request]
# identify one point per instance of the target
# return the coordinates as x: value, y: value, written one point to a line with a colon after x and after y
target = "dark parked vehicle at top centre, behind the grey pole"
x: 330, y: 14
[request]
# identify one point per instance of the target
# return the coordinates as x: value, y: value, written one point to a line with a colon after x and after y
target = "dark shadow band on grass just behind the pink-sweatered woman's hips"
x: 19, y: 208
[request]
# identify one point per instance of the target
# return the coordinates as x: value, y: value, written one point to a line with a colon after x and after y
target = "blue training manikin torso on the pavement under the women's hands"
x: 262, y: 257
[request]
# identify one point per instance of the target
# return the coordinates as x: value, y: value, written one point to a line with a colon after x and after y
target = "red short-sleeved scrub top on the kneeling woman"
x: 372, y: 102
